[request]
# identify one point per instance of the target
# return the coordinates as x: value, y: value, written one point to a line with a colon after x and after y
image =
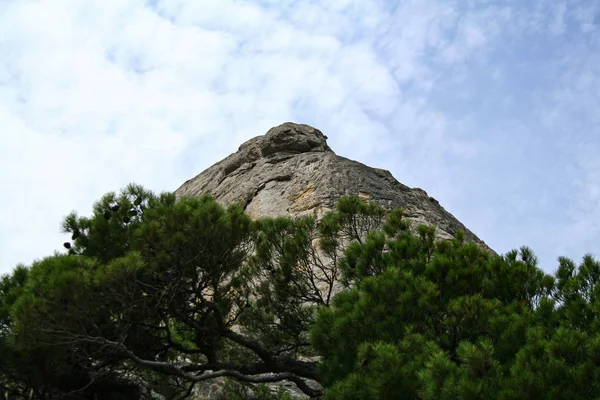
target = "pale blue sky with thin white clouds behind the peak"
x: 492, y: 107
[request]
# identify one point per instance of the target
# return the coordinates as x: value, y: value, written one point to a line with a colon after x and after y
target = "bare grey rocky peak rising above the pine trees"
x: 291, y: 171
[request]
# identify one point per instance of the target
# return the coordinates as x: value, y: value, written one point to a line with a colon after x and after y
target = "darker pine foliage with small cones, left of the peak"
x: 146, y: 276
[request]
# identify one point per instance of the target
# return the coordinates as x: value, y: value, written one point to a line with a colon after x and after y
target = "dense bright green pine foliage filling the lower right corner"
x: 478, y: 326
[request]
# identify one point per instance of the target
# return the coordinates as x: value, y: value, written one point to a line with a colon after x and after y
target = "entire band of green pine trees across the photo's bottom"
x: 157, y: 296
